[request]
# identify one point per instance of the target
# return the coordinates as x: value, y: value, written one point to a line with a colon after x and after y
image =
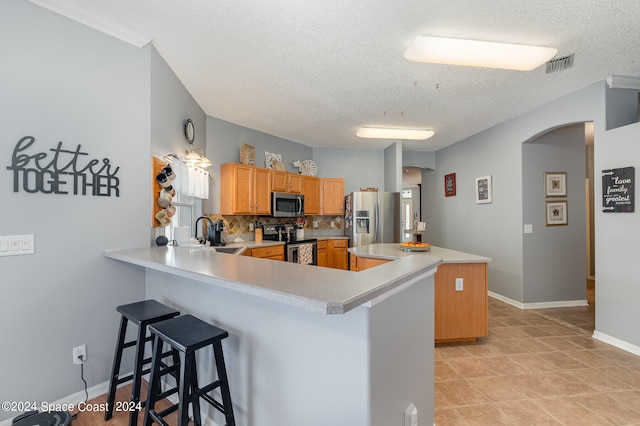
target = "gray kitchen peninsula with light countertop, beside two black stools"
x: 308, y: 345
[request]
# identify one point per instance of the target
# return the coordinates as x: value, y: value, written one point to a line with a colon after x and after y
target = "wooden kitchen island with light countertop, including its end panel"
x: 461, y: 289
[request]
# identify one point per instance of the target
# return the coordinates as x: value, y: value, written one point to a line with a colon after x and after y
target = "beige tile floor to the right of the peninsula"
x: 537, y: 367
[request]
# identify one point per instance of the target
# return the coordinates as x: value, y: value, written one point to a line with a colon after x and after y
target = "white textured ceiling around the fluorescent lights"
x: 314, y: 71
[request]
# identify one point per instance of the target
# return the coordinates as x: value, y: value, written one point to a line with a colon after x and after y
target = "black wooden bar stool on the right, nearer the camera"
x: 188, y: 334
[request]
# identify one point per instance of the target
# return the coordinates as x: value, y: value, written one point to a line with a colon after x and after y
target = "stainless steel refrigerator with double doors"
x: 373, y: 217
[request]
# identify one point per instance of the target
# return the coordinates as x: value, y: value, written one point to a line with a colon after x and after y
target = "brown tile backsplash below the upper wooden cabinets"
x: 240, y: 224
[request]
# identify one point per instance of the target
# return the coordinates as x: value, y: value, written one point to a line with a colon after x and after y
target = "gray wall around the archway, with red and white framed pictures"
x: 496, y: 230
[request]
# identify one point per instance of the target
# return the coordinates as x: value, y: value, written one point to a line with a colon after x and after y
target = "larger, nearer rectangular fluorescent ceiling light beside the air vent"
x: 474, y: 53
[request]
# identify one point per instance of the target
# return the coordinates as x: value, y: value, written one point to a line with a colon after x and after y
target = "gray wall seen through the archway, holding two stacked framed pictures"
x: 554, y: 267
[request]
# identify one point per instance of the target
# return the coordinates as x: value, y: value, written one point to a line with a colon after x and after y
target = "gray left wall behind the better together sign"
x: 61, y: 81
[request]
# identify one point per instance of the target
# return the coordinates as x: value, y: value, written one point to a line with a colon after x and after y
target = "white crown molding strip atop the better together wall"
x: 94, y: 21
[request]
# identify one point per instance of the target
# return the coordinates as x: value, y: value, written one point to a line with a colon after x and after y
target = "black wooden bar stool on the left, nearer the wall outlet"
x: 142, y: 314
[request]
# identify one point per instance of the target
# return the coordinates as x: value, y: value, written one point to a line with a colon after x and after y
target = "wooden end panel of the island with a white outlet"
x: 461, y: 315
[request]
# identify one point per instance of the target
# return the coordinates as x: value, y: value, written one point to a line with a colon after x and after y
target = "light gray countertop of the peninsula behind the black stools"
x: 320, y: 289
